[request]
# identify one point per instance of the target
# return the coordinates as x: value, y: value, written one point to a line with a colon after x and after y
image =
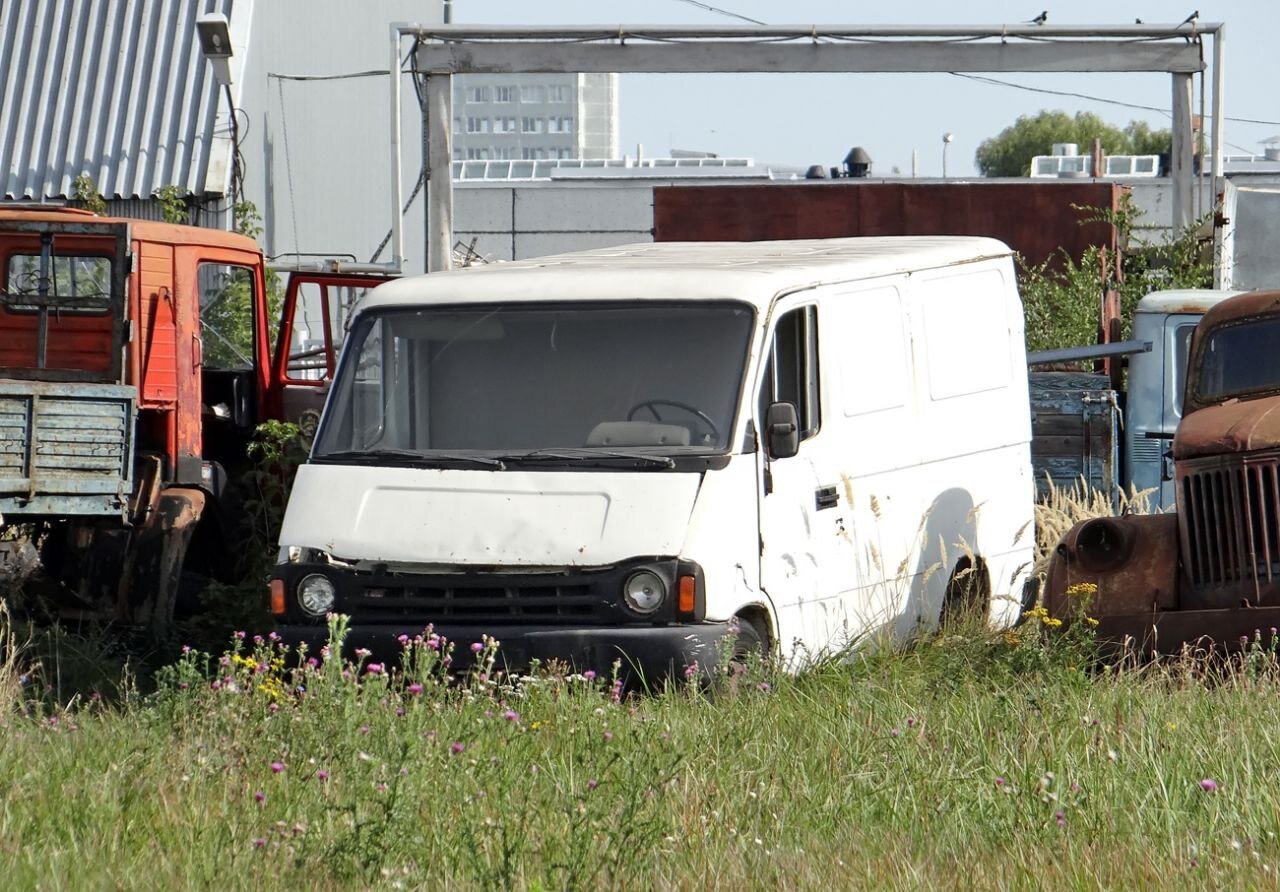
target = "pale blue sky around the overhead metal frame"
x: 816, y: 120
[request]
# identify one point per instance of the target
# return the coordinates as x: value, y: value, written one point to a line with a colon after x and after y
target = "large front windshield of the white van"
x: 538, y: 383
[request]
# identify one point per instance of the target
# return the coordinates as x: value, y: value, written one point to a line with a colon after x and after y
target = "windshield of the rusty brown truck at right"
x: 1241, y: 359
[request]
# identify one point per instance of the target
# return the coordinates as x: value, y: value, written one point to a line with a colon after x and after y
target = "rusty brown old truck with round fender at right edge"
x: 1212, y: 570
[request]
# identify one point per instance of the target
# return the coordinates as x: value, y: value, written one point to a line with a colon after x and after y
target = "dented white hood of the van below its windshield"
x: 464, y: 518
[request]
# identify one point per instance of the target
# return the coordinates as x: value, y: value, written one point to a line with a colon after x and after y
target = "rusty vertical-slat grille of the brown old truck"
x: 1232, y: 523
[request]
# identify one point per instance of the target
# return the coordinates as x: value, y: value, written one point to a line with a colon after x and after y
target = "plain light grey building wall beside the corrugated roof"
x: 317, y: 154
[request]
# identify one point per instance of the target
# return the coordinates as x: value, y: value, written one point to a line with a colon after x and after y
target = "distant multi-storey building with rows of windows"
x: 536, y: 117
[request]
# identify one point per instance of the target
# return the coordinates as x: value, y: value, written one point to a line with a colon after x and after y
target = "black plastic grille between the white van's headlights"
x: 538, y: 603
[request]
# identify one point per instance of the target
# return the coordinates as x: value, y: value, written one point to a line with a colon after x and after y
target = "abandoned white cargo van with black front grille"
x: 616, y: 454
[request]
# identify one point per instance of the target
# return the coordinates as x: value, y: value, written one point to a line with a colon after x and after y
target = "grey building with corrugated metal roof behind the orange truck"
x: 120, y: 92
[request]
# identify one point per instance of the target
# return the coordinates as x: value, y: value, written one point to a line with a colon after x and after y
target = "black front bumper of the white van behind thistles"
x: 646, y: 653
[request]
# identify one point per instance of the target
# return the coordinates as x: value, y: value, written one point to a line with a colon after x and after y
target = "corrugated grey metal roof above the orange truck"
x: 117, y: 92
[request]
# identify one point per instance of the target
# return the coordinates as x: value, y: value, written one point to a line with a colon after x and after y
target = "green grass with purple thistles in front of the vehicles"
x: 976, y: 761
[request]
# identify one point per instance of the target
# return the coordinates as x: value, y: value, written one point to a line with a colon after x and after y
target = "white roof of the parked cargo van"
x: 753, y: 272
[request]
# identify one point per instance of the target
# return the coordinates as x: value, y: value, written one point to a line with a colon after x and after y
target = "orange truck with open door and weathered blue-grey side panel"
x: 136, y: 360
